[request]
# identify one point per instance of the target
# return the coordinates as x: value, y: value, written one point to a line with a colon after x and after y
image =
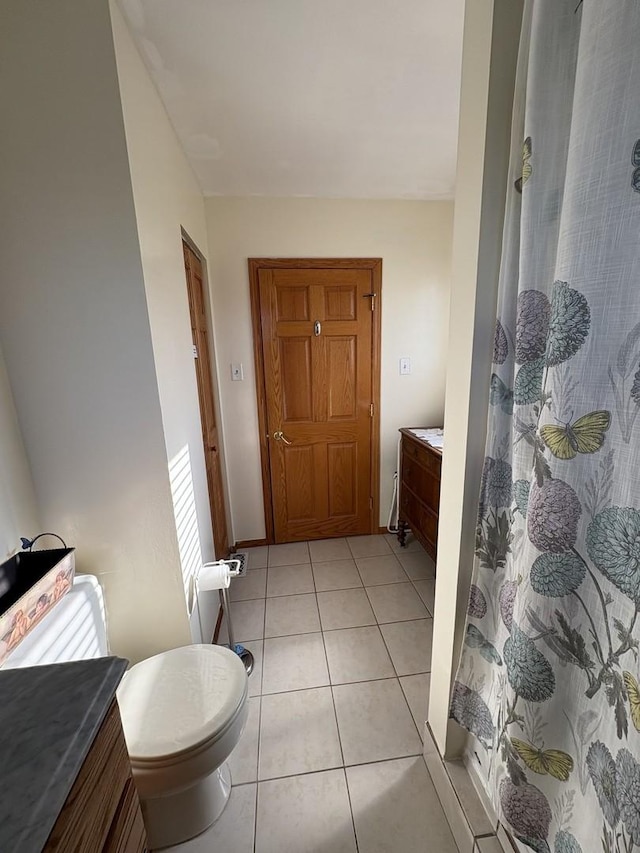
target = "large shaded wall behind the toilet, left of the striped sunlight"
x: 73, y: 317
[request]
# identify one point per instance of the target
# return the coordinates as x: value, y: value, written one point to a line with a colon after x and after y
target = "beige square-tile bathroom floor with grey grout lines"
x: 331, y: 758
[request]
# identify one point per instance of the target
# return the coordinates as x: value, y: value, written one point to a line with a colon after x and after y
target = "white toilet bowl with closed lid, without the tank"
x: 183, y: 712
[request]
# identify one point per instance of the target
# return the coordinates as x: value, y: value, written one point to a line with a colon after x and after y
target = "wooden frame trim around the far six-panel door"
x: 373, y: 264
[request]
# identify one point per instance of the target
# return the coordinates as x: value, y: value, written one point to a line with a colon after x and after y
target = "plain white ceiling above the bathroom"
x: 326, y: 98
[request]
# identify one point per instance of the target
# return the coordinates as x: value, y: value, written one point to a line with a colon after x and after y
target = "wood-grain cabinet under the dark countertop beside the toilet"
x: 102, y: 812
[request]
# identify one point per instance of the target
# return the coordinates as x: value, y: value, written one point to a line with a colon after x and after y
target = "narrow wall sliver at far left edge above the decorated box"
x: 18, y: 512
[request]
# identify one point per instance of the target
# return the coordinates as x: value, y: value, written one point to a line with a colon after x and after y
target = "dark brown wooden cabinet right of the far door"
x: 419, y: 484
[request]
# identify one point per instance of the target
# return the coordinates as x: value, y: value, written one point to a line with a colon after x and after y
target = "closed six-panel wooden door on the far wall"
x: 318, y: 344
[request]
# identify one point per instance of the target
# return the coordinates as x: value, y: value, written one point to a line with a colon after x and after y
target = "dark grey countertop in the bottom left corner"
x: 49, y: 717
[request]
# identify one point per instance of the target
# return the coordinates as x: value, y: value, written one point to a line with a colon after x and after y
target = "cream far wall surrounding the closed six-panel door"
x: 414, y: 240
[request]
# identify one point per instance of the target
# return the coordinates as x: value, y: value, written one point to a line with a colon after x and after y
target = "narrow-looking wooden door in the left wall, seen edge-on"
x: 202, y: 361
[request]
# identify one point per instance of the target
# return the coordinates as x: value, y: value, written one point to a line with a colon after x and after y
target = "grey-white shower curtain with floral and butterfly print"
x: 548, y: 677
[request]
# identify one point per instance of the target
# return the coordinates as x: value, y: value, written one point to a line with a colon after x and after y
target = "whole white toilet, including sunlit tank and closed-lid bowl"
x: 183, y: 712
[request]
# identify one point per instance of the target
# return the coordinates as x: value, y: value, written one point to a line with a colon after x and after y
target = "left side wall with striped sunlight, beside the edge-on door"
x: 167, y: 197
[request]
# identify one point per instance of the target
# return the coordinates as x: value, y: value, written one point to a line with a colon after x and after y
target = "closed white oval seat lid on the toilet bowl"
x: 179, y: 699
